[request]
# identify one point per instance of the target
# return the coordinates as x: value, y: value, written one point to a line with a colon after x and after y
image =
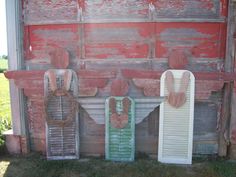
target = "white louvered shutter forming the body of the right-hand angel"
x: 176, y: 125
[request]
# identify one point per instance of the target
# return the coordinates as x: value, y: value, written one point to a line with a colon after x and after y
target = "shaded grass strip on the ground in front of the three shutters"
x: 35, y: 165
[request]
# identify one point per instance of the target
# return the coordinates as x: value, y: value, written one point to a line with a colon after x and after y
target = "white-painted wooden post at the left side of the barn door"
x: 15, y: 60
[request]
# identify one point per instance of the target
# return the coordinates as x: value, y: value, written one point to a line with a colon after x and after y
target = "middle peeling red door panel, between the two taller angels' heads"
x: 117, y: 40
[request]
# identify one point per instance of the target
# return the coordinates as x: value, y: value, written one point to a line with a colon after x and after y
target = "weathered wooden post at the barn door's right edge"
x: 228, y: 102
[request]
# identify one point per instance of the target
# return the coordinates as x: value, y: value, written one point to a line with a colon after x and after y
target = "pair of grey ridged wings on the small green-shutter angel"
x: 95, y: 107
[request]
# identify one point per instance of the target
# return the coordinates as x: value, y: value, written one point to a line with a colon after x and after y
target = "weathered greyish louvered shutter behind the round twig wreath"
x: 62, y: 142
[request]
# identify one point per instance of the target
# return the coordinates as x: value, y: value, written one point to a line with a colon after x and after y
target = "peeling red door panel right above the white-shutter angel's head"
x: 198, y: 40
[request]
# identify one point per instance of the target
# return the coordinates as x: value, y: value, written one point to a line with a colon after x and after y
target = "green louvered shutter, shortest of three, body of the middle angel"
x: 120, y: 143
